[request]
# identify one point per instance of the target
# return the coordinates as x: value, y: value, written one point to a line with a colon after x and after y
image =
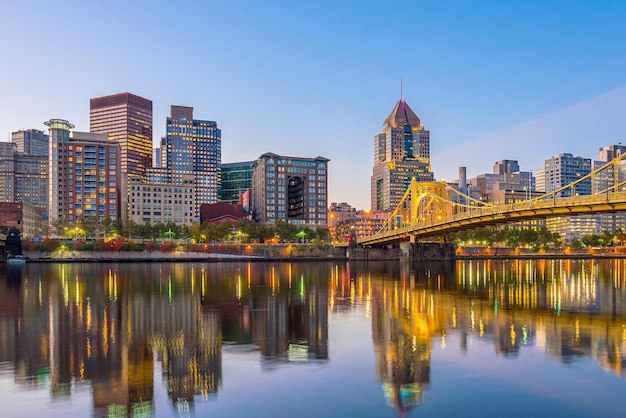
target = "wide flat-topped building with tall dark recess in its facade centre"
x: 292, y: 189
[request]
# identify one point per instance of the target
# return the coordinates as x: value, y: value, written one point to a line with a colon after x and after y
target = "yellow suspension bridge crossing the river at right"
x: 434, y: 209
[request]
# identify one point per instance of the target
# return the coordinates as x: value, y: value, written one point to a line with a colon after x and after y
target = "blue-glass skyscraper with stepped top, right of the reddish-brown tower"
x: 193, y: 146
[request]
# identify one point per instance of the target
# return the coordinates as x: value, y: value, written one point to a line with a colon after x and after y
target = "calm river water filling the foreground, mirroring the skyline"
x: 471, y: 338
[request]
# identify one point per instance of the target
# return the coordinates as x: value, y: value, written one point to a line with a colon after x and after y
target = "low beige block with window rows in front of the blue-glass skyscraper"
x: 162, y: 202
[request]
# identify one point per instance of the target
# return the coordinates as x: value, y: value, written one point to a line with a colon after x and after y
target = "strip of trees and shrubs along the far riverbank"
x: 123, y: 250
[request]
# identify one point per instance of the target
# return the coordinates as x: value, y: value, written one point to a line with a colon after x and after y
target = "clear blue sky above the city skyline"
x: 491, y: 80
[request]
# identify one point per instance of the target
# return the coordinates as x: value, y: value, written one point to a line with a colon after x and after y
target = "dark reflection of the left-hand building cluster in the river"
x: 110, y: 329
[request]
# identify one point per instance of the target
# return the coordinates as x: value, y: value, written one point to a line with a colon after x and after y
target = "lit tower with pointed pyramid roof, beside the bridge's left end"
x: 401, y: 153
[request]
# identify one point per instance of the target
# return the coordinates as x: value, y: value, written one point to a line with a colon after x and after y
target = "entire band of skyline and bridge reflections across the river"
x: 112, y: 329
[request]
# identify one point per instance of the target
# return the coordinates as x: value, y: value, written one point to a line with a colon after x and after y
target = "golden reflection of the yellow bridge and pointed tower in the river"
x: 568, y: 308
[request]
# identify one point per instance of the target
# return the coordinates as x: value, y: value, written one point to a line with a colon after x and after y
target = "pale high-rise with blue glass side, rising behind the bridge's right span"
x: 563, y: 169
